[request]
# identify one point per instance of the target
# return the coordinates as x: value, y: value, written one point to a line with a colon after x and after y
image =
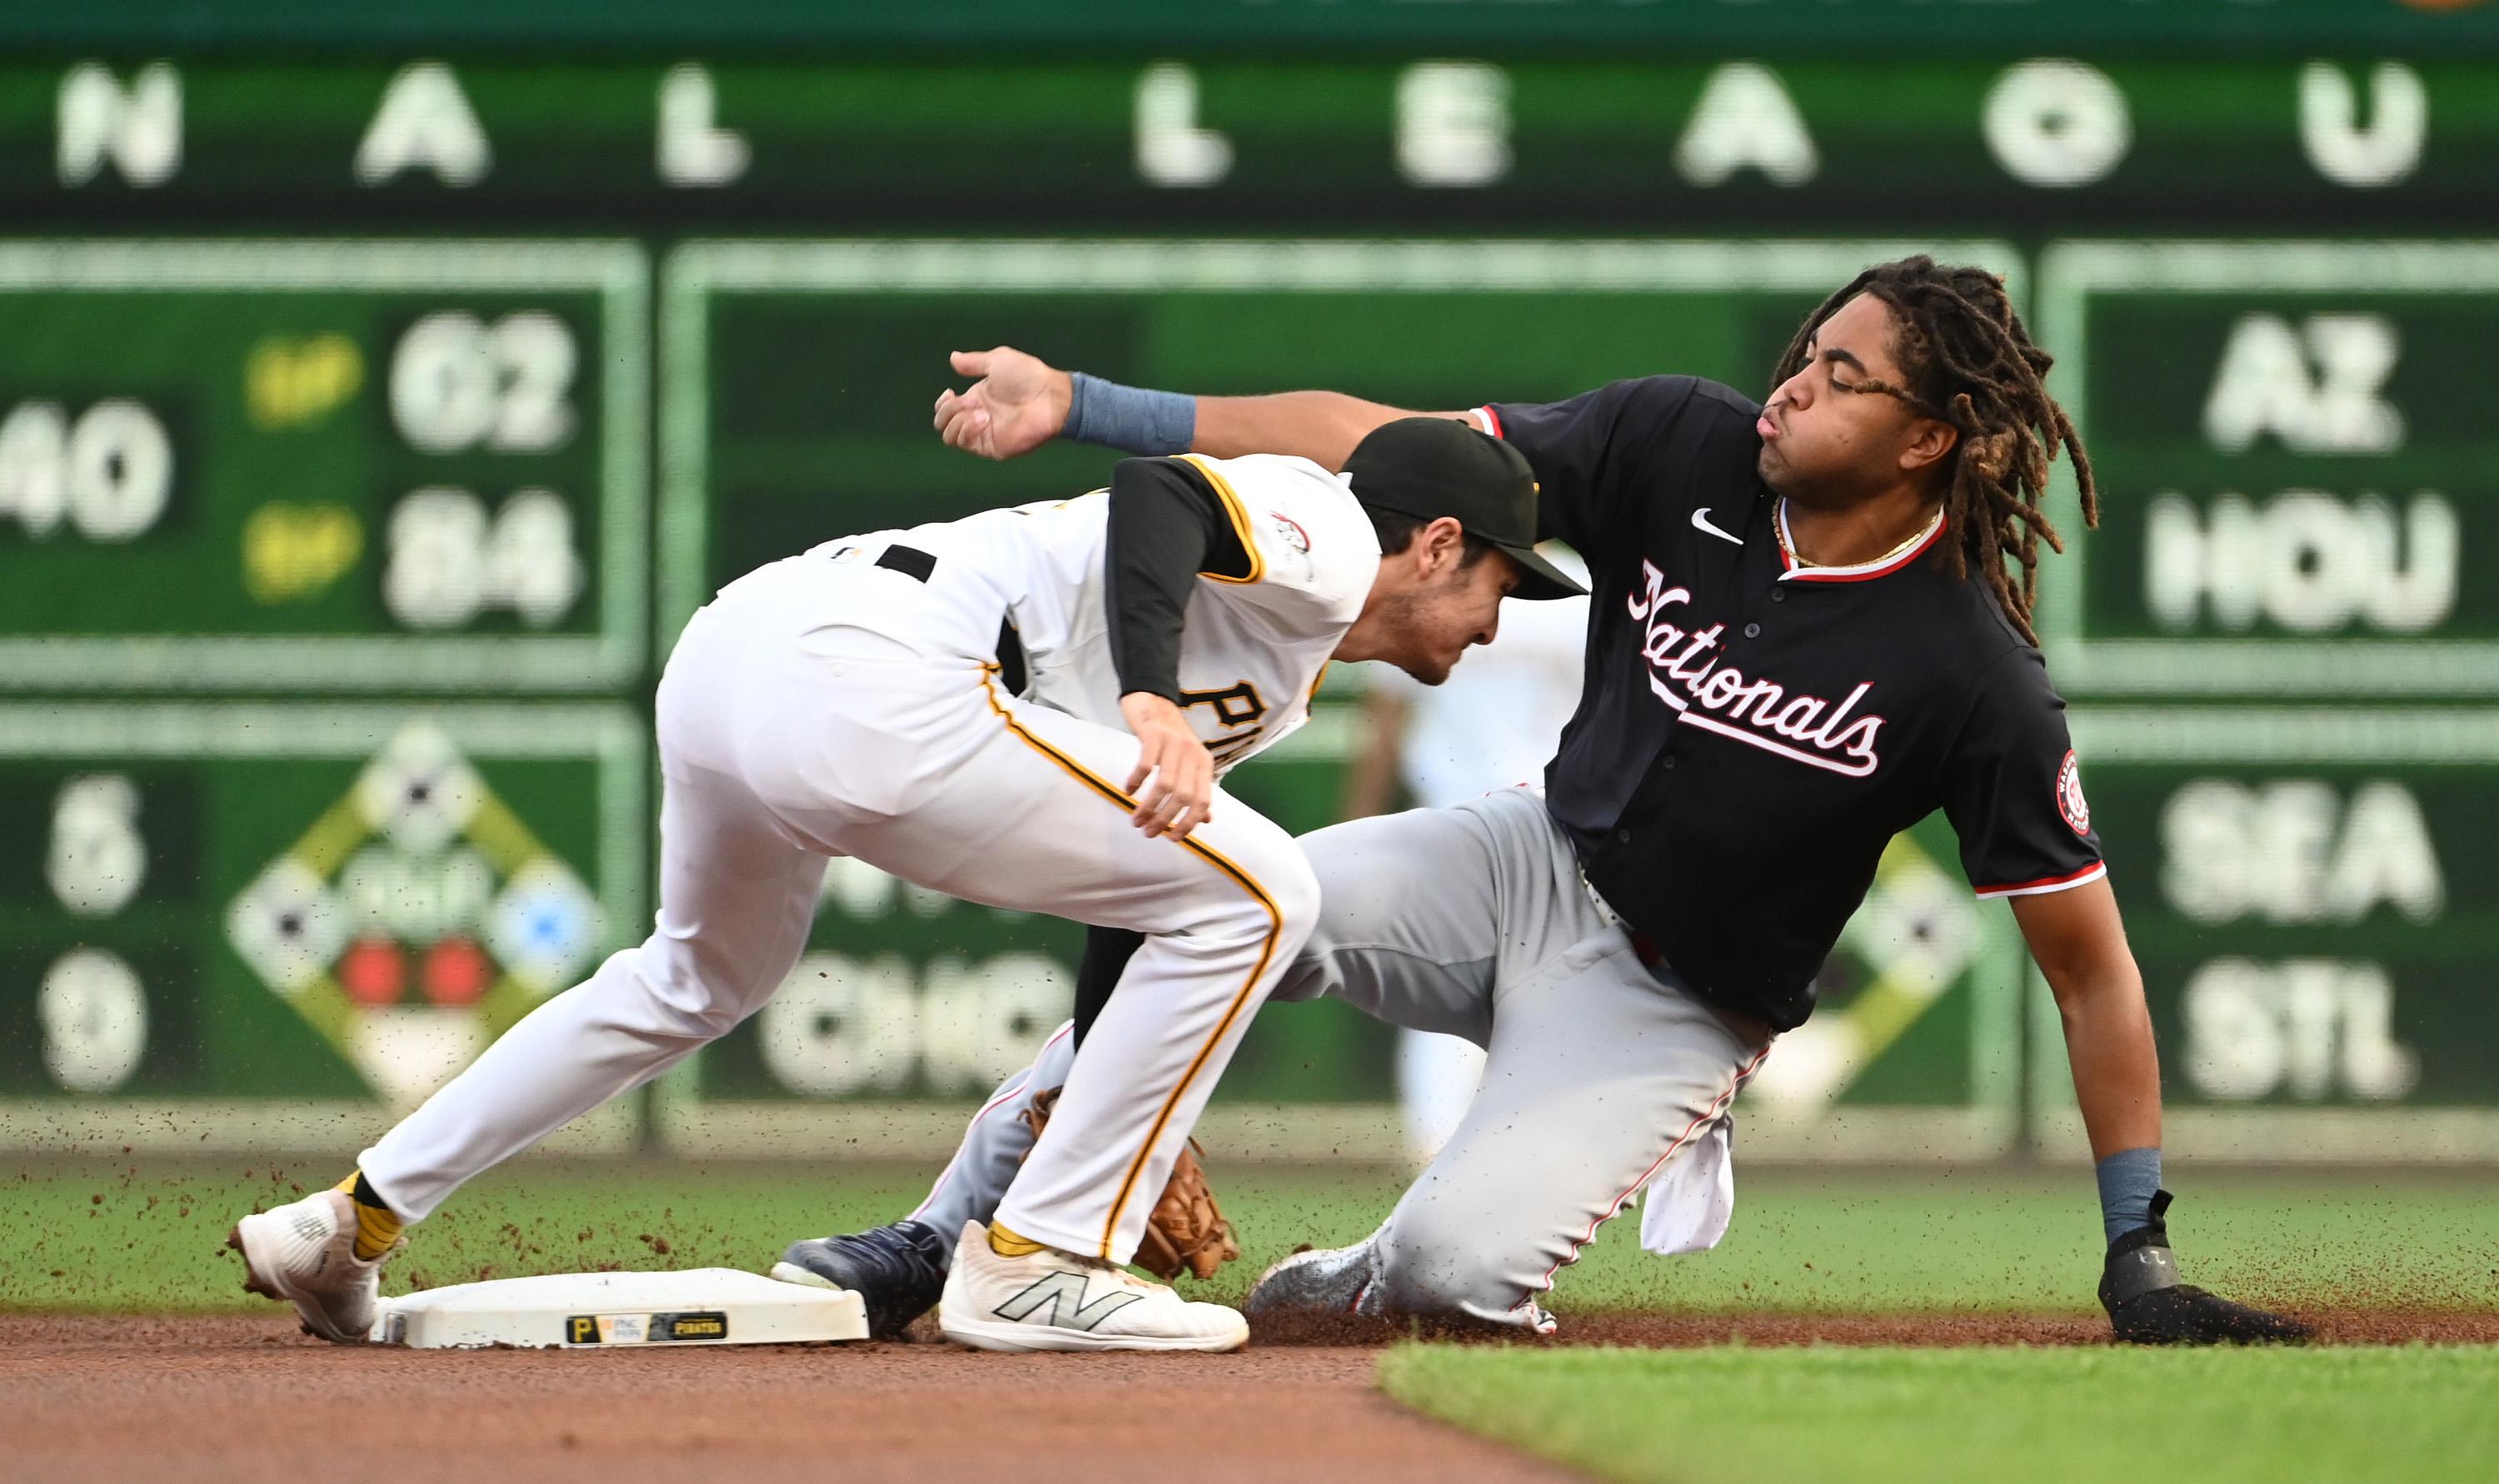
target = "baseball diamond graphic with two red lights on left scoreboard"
x: 416, y: 921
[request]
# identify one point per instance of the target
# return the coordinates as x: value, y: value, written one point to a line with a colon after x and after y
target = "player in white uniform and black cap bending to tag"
x: 863, y: 701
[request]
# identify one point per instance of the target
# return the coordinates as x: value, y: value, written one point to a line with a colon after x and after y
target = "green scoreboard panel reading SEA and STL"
x: 2315, y: 903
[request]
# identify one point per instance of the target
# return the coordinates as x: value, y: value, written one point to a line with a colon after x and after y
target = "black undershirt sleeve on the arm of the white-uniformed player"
x: 1166, y: 528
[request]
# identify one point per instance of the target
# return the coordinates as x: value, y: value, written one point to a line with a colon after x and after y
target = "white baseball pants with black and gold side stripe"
x: 833, y: 708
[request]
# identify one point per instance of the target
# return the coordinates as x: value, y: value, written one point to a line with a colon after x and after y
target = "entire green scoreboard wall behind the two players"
x: 381, y: 393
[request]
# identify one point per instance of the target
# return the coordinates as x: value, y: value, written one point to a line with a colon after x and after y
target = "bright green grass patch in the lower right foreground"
x: 1985, y: 1415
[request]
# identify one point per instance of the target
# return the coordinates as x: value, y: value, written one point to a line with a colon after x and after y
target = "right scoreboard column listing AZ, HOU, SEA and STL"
x: 2298, y: 483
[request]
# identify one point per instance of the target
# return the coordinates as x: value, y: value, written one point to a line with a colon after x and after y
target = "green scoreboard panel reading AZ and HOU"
x: 2295, y: 481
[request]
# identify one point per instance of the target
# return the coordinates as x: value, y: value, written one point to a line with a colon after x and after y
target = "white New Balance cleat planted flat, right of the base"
x: 1051, y: 1300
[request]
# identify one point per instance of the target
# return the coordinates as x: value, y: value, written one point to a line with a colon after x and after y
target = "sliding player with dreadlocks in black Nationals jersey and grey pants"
x: 1811, y: 628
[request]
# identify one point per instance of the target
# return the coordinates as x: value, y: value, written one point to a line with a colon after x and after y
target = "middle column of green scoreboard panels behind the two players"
x: 793, y: 408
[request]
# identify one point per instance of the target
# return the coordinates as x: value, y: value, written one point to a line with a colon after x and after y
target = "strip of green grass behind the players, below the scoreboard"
x: 146, y: 1235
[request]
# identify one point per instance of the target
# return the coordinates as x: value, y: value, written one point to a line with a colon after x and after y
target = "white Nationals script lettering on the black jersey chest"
x: 1718, y: 698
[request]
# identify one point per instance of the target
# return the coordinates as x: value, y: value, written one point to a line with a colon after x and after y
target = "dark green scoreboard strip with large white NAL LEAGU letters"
x: 1148, y: 141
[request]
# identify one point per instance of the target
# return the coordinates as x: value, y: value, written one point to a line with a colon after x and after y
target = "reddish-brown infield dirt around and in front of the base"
x: 241, y: 1398
